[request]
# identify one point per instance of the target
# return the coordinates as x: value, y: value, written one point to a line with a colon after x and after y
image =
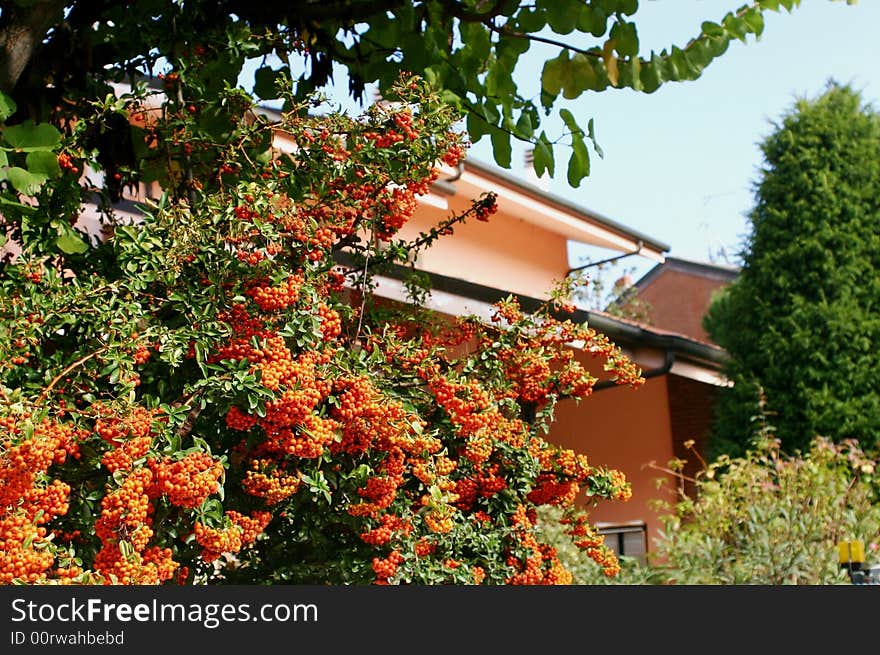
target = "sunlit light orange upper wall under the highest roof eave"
x: 505, y: 253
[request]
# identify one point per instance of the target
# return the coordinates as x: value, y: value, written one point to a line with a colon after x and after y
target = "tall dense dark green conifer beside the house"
x: 802, y: 321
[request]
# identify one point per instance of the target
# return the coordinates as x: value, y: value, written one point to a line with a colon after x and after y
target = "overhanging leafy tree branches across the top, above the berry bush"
x: 471, y: 50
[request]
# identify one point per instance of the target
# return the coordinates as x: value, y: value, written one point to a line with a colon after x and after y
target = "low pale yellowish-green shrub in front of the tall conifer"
x: 769, y: 518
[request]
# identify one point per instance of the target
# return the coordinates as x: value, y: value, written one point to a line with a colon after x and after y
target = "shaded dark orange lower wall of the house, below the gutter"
x: 626, y: 429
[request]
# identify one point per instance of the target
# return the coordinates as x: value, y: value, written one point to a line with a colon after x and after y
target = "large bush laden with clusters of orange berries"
x: 208, y: 391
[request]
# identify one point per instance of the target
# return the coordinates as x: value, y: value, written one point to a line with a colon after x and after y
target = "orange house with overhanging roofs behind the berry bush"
x: 522, y: 250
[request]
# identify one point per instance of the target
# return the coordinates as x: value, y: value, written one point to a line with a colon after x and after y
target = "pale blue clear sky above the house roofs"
x: 680, y: 163
